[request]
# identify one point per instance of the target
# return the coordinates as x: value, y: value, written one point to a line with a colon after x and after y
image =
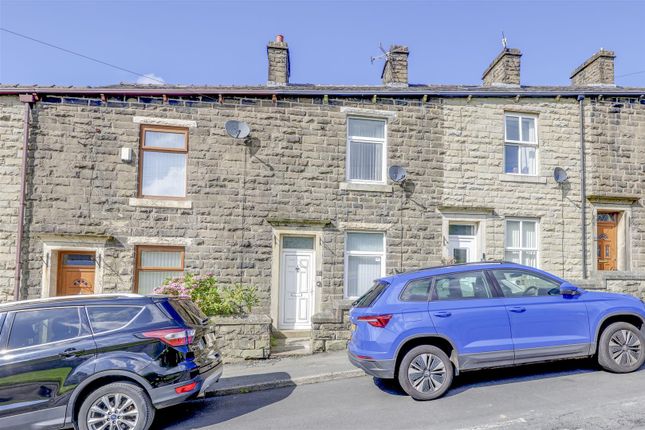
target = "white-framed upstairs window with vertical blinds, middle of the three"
x: 366, y: 150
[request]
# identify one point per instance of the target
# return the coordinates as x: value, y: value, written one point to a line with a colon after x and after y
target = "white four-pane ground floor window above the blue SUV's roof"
x: 522, y: 241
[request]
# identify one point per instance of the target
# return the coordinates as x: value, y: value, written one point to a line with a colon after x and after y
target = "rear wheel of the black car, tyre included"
x: 120, y: 405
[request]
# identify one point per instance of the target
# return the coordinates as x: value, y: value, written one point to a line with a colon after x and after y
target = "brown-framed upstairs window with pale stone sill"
x: 162, y: 165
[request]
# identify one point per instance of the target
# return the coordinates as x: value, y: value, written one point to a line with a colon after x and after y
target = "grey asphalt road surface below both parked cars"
x: 563, y: 395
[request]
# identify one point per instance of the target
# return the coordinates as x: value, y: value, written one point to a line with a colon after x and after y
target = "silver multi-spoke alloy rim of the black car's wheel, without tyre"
x: 114, y: 411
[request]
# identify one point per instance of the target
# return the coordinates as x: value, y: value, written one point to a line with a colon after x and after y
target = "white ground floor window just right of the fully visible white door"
x: 364, y: 261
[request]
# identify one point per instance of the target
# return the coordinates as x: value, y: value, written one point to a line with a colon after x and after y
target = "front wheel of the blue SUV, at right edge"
x: 620, y: 348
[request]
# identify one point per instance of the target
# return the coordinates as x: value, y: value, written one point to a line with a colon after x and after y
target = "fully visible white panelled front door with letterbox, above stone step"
x: 296, y: 288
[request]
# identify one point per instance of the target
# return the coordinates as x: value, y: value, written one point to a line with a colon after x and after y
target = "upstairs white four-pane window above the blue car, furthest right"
x: 520, y: 148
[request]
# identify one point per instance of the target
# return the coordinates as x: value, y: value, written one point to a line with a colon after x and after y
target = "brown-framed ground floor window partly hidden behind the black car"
x: 155, y: 264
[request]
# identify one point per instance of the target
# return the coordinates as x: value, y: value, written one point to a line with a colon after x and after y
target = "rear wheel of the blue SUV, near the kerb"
x: 425, y: 372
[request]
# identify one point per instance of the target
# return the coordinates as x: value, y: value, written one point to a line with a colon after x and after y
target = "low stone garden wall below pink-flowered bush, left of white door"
x: 242, y: 338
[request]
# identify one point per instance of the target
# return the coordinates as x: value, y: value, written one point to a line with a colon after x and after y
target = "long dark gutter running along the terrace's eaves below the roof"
x: 362, y: 92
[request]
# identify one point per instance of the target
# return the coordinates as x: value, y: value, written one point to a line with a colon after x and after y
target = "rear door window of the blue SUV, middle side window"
x: 459, y: 286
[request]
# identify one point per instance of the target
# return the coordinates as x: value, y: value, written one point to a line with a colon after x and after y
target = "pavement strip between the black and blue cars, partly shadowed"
x: 261, y: 375
